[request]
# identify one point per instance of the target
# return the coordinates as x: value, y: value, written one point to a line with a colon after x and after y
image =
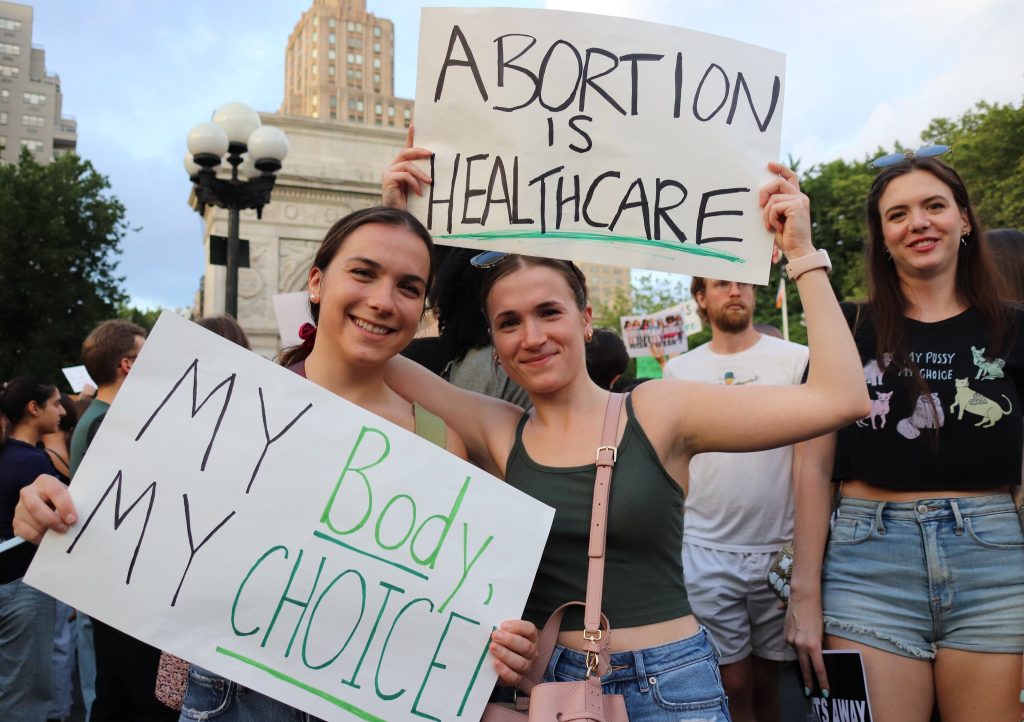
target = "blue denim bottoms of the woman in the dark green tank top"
x: 677, y: 683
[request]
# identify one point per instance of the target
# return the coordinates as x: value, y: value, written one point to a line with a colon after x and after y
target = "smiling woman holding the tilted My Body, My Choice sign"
x: 367, y: 290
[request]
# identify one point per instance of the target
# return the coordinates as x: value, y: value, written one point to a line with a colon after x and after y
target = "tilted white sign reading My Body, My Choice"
x: 243, y: 519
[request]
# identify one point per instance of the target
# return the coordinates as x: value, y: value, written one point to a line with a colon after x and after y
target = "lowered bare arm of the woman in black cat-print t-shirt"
x: 813, y: 496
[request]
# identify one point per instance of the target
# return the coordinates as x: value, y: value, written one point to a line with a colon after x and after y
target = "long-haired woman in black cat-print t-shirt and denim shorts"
x: 923, y: 572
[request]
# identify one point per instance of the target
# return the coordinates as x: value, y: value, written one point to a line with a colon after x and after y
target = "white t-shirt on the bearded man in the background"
x: 742, y: 502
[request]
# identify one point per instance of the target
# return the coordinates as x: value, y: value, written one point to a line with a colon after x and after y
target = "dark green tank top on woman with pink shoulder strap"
x: 644, y: 571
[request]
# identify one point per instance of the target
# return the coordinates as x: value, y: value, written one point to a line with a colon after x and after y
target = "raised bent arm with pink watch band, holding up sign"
x: 708, y: 417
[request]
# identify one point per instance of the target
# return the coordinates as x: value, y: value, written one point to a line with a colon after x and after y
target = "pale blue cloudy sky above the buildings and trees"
x: 139, y: 74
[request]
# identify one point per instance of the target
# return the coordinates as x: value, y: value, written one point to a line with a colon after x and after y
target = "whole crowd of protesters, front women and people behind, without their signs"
x: 887, y: 452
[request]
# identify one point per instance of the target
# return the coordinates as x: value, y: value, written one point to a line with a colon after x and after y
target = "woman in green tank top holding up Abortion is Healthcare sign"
x: 663, y: 662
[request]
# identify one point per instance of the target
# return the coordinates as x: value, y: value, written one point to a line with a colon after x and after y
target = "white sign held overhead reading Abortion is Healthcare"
x: 596, y: 139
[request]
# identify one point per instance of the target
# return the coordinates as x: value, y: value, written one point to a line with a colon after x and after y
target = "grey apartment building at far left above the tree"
x: 30, y: 99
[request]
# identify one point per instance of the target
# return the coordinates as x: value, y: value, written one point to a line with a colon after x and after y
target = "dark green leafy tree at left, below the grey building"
x: 60, y: 235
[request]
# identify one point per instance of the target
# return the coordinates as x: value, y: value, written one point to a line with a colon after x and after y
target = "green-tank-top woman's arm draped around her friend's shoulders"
x: 487, y: 426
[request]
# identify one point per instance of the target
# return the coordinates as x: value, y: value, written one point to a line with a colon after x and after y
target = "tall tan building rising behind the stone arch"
x: 340, y: 66
